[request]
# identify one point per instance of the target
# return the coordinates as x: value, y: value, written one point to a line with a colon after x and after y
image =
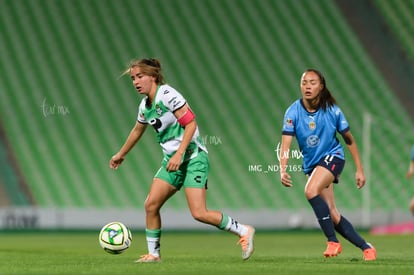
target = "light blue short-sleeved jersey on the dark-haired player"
x: 315, y: 132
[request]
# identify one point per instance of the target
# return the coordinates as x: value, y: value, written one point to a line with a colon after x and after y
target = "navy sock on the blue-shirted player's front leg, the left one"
x: 321, y: 210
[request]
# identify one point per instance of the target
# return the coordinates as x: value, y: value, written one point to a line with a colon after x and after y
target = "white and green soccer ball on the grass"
x: 115, y: 237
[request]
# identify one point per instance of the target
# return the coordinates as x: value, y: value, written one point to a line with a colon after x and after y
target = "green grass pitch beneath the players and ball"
x: 199, y: 253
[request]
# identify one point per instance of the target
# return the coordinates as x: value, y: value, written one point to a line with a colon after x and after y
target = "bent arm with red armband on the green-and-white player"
x: 186, y: 118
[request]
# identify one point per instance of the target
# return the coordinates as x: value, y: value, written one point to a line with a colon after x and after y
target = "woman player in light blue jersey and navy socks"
x: 314, y: 120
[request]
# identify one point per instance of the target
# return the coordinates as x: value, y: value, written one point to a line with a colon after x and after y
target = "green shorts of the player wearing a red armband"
x: 192, y: 173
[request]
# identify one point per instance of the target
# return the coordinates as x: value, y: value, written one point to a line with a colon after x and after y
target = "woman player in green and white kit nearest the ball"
x: 185, y: 163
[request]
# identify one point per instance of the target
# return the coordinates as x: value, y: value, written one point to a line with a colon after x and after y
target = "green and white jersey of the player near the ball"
x: 160, y: 115
